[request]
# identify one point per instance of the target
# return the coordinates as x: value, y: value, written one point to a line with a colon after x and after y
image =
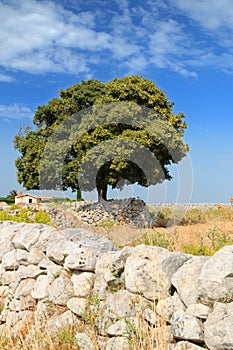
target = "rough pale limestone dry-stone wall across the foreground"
x: 54, y: 278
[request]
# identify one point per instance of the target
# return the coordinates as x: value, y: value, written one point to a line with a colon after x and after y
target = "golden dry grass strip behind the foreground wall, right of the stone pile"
x: 176, y: 237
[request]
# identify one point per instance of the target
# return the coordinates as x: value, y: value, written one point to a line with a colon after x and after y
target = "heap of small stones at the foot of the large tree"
x: 129, y: 210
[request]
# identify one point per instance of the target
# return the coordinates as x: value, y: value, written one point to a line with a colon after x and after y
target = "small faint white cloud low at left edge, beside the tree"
x: 15, y: 111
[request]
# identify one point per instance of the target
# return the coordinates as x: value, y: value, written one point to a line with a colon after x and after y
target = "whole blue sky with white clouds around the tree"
x: 184, y: 46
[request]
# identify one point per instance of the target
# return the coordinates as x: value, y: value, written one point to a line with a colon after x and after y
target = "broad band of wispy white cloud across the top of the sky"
x: 43, y: 36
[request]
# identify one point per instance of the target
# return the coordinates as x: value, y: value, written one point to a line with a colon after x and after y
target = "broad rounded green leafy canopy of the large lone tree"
x: 97, y: 134
